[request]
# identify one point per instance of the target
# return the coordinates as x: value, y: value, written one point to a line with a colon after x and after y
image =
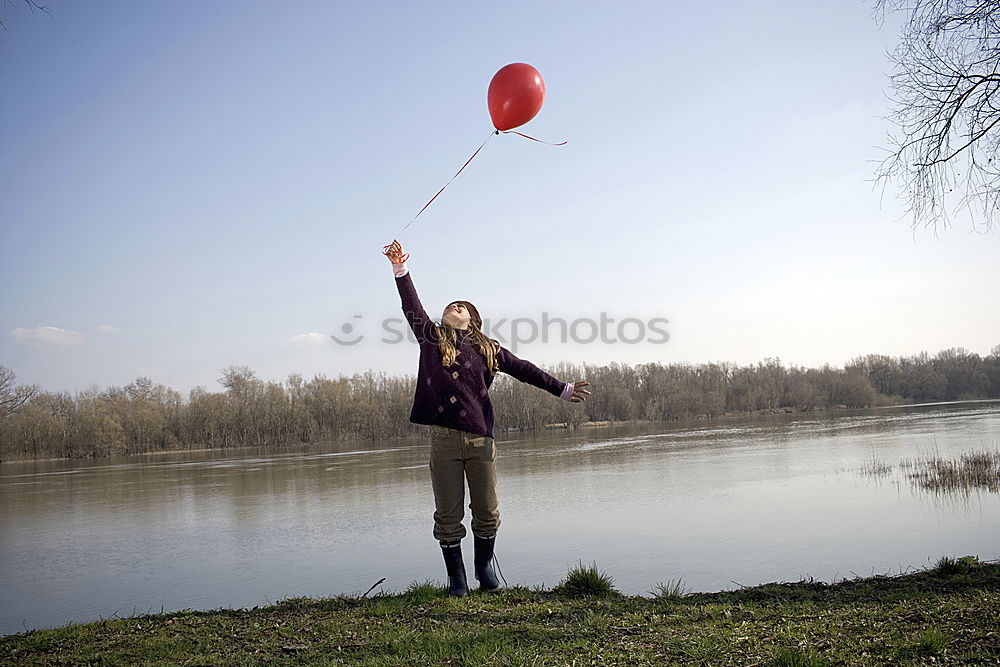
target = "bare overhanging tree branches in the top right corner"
x: 944, y: 91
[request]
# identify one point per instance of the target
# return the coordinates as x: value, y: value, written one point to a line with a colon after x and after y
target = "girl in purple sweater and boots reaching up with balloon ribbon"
x: 457, y: 365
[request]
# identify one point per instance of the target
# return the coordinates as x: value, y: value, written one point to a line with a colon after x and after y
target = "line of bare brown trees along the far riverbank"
x: 146, y: 417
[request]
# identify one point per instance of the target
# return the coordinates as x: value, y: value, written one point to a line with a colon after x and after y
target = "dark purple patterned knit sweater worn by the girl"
x: 458, y: 396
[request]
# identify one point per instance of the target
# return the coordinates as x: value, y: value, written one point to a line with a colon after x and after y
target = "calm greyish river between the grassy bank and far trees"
x: 715, y: 503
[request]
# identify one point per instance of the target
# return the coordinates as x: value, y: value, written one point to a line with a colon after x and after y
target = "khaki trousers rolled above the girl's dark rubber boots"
x: 456, y: 456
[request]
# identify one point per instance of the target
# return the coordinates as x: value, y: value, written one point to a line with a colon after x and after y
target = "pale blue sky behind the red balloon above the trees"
x: 186, y: 187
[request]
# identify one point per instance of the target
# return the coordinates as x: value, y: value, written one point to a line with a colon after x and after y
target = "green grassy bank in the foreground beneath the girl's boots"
x: 946, y: 615
